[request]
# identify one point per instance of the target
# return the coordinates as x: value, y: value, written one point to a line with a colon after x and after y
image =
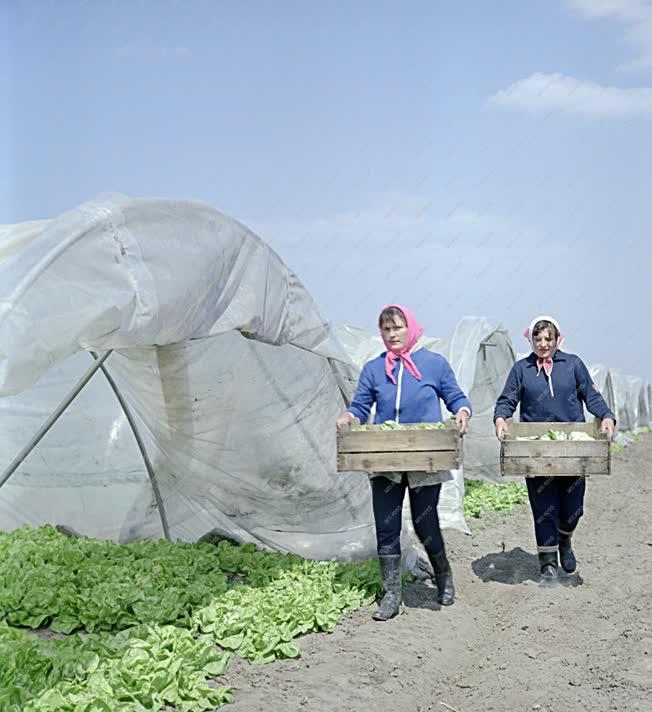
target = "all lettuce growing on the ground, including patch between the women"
x: 96, y: 626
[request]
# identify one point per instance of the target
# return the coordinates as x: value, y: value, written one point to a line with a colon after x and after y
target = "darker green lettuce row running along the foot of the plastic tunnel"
x: 66, y: 584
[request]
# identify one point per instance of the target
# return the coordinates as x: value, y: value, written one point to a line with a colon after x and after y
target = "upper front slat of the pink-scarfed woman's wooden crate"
x: 395, y: 440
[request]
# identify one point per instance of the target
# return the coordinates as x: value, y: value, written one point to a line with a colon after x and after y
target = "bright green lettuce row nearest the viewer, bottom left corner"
x: 142, y: 668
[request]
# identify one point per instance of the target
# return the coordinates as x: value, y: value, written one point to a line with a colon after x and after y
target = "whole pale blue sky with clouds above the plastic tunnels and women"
x: 461, y: 158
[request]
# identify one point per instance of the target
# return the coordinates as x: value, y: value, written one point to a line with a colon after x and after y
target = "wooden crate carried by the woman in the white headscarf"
x: 559, y: 458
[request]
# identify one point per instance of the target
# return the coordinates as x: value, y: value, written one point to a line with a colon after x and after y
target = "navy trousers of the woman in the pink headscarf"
x: 387, y: 499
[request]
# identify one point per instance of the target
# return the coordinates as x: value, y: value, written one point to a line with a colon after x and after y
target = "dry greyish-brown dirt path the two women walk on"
x: 507, y: 643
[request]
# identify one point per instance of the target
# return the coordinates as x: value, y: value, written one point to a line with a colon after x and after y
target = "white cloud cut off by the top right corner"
x: 635, y: 15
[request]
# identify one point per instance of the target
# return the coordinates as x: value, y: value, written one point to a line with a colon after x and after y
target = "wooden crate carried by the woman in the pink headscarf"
x: 377, y: 450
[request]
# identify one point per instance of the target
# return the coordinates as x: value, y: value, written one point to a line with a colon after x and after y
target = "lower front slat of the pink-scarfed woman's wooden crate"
x: 398, y: 461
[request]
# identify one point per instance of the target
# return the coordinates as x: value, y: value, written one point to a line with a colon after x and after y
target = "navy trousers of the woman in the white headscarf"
x: 557, y: 505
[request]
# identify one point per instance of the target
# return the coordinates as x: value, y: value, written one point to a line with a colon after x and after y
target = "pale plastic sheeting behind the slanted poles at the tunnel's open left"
x: 86, y: 473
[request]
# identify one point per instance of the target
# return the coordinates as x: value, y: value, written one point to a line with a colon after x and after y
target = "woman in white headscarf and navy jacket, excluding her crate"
x: 552, y: 386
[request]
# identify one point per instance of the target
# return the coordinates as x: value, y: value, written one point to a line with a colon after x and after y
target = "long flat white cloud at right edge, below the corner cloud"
x: 557, y: 92
